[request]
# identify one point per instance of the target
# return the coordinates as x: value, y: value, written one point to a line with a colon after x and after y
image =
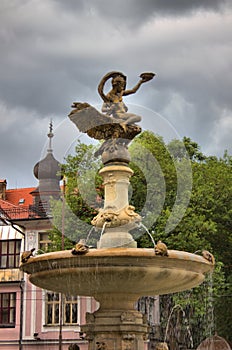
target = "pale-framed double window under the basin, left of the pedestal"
x: 69, y: 308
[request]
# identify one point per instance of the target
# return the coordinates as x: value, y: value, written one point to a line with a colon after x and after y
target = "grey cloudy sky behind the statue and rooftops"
x: 54, y: 52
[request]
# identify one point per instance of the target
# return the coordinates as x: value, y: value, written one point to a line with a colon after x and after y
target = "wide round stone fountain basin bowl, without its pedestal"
x: 130, y: 272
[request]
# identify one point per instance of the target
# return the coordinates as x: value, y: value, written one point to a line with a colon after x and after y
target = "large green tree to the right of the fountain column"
x: 206, y: 223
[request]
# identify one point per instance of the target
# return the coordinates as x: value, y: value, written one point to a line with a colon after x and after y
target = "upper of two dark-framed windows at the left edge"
x: 9, y: 253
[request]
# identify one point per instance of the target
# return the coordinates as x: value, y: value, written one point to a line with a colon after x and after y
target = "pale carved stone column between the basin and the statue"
x: 117, y: 217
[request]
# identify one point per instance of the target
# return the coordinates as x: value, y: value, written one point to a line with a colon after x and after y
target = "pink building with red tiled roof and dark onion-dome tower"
x: 32, y: 318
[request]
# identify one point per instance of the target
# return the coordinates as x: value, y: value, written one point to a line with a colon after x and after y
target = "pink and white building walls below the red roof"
x: 32, y: 318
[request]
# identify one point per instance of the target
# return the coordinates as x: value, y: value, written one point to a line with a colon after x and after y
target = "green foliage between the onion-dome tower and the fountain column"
x: 82, y: 196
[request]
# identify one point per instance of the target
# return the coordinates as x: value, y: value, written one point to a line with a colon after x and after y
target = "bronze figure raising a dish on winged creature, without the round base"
x: 91, y: 121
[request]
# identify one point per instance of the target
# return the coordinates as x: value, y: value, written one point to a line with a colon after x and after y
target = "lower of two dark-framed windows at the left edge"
x: 7, y: 309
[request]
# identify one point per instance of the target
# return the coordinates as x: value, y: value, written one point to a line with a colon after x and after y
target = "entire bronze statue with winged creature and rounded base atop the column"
x: 114, y: 125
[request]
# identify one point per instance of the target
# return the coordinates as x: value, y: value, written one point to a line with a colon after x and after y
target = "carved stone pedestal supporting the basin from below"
x: 116, y: 325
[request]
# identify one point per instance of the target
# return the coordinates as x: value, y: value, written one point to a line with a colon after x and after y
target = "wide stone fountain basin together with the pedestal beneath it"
x: 116, y: 278
